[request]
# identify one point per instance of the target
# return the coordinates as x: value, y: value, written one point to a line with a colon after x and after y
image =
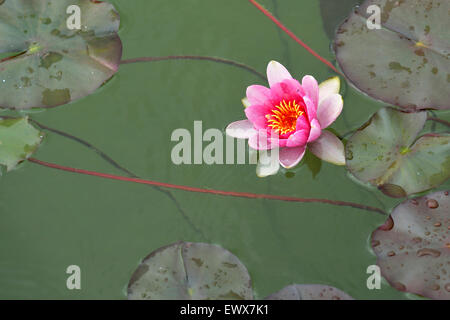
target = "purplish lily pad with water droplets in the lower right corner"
x: 413, y: 246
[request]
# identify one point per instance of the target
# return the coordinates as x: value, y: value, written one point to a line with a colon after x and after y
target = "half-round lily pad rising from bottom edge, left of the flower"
x: 190, y: 271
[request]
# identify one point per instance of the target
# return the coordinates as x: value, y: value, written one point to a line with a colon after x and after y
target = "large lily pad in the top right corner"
x: 405, y: 63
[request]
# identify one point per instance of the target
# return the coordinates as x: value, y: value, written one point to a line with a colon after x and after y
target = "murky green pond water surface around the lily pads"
x: 51, y: 219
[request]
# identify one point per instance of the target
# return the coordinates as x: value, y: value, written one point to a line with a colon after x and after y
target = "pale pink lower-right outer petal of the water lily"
x: 328, y: 148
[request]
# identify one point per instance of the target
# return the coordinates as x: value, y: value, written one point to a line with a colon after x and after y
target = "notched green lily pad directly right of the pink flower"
x: 385, y: 153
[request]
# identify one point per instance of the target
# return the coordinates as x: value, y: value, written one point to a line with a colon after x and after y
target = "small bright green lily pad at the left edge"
x: 18, y: 141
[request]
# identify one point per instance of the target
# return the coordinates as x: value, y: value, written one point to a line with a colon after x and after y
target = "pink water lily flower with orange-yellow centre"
x: 296, y: 114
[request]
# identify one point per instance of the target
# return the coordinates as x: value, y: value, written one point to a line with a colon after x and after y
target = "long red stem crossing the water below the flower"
x: 208, y: 191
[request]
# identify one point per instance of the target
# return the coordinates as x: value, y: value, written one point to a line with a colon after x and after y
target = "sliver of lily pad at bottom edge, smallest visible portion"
x: 309, y: 292
